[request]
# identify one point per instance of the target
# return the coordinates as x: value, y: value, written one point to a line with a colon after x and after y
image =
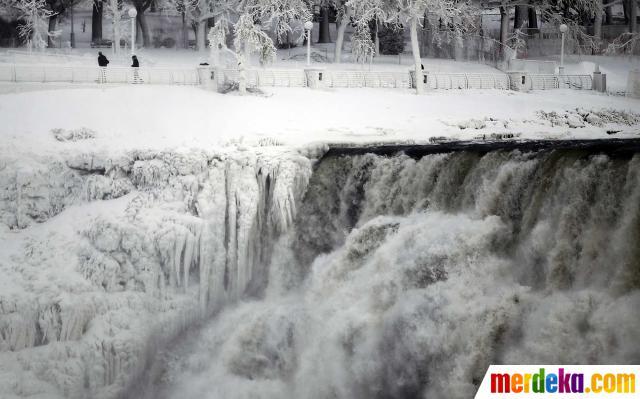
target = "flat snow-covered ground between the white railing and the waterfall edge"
x: 157, y: 117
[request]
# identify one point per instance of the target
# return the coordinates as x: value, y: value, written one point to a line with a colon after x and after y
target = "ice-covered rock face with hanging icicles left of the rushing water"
x: 109, y: 258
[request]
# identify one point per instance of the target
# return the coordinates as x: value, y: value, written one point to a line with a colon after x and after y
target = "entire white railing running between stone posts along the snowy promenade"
x: 285, y: 78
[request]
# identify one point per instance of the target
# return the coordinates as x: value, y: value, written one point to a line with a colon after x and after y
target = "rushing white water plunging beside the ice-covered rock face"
x: 406, y: 278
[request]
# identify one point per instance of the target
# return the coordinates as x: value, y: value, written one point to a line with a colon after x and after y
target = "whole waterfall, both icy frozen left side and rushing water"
x: 250, y: 274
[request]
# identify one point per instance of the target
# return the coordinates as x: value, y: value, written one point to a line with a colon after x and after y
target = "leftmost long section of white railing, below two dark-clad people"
x: 85, y: 74
